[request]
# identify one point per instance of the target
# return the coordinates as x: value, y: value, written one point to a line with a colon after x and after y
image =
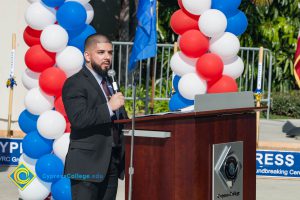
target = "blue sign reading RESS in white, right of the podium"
x: 278, y: 164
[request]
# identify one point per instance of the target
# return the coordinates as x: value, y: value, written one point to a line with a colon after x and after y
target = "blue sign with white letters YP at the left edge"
x: 10, y: 151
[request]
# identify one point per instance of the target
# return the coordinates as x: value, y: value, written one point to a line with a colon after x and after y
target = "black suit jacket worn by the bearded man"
x: 91, y: 140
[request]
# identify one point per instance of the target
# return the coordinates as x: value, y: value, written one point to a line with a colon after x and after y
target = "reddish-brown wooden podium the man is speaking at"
x: 179, y: 167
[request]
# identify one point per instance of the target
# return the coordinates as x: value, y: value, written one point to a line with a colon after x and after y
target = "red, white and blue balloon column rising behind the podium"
x: 208, y: 61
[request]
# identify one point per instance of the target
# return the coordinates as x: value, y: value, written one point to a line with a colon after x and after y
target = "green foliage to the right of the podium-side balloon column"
x: 274, y: 27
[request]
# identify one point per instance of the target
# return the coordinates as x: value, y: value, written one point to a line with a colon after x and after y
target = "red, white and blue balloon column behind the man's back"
x: 55, y: 35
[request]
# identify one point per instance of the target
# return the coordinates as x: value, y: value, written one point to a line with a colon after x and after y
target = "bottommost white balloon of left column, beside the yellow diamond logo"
x: 36, y: 190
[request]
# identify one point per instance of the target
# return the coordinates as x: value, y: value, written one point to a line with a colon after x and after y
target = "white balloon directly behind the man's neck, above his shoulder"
x: 70, y: 60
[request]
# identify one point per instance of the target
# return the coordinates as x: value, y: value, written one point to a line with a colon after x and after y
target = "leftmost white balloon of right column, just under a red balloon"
x: 181, y: 64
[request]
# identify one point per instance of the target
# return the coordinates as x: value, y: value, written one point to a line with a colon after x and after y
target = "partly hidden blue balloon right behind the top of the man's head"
x: 78, y: 40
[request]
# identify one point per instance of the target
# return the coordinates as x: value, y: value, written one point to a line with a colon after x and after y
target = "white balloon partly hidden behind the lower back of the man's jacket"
x: 61, y: 146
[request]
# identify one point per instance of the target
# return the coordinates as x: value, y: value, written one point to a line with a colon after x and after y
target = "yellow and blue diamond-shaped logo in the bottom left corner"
x: 21, y: 176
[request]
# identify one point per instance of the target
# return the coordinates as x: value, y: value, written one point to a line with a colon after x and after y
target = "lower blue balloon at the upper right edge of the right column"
x: 237, y: 24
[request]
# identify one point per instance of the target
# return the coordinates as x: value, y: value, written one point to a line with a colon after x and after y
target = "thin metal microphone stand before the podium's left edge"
x: 131, y: 169
